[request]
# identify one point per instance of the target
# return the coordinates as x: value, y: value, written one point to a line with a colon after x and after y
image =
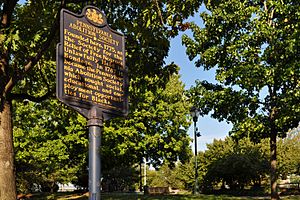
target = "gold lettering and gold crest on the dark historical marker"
x: 93, y: 63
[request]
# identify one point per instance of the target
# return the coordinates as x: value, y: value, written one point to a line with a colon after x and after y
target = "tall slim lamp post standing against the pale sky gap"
x: 195, y: 115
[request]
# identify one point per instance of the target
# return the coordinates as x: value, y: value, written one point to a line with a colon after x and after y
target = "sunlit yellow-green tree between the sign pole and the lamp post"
x: 152, y: 130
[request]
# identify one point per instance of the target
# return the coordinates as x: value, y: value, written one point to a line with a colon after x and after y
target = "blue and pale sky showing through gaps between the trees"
x: 210, y: 128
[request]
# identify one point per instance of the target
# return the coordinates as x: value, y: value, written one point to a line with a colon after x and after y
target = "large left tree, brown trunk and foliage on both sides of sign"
x: 28, y: 35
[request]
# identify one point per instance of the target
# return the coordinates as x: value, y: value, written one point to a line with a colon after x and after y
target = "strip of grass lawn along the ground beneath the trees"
x: 133, y: 196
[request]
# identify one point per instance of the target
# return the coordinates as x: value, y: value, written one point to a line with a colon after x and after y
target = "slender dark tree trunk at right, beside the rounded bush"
x: 273, y: 161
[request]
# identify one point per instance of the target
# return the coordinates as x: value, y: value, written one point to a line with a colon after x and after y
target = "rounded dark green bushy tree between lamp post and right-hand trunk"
x: 237, y: 165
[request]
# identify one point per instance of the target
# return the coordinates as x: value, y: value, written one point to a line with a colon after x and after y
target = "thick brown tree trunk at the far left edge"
x: 7, y: 172
